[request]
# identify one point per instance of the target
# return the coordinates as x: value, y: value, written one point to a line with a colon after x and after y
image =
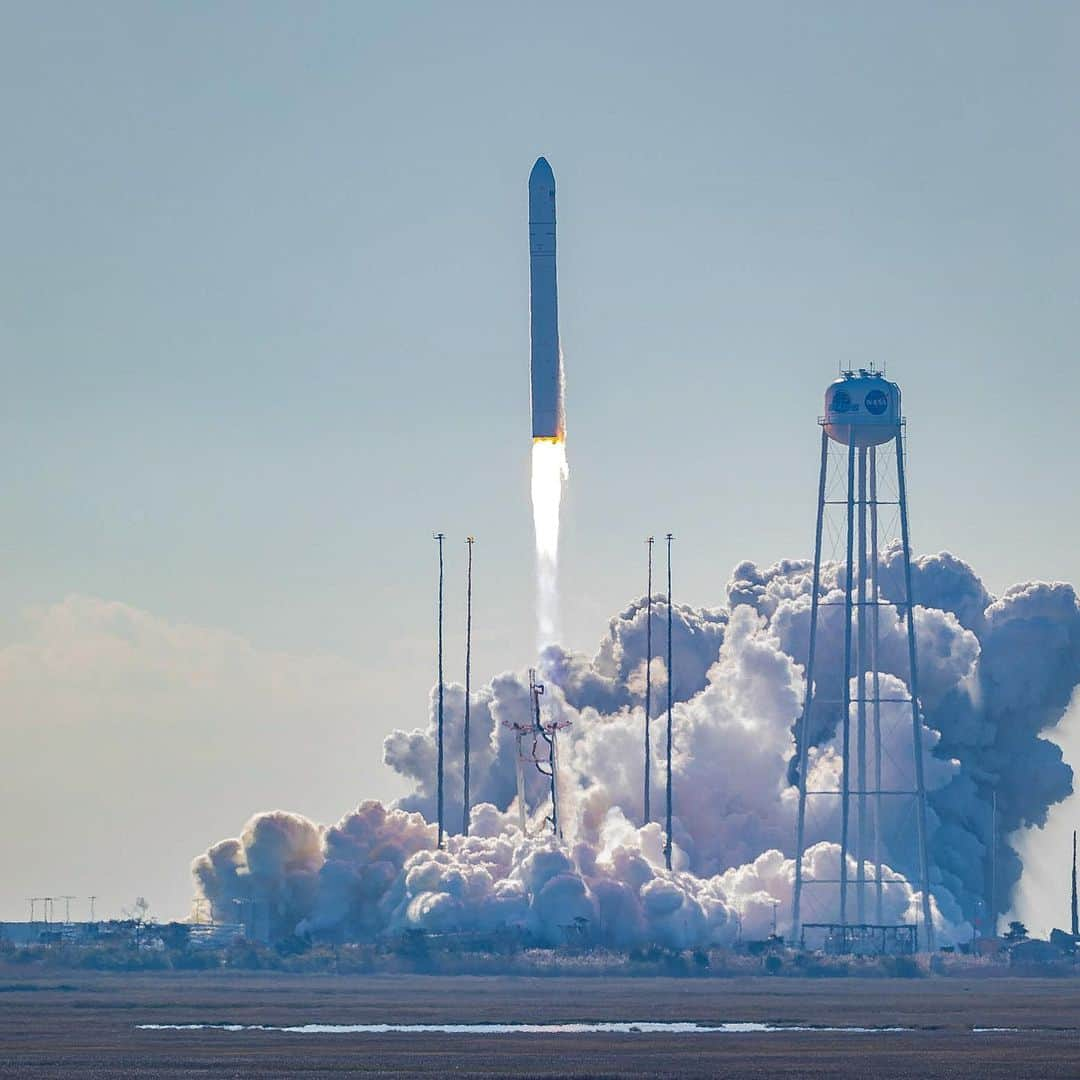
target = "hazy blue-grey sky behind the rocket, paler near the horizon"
x: 264, y: 326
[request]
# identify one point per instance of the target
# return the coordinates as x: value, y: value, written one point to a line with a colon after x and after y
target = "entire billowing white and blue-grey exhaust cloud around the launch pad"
x: 996, y: 677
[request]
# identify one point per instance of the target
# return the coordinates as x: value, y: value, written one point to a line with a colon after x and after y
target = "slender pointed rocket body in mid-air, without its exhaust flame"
x: 549, y: 420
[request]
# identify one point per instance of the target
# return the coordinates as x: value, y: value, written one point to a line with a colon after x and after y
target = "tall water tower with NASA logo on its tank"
x: 862, y: 418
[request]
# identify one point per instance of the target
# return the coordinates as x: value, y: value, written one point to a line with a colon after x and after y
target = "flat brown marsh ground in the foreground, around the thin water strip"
x: 85, y: 1024
